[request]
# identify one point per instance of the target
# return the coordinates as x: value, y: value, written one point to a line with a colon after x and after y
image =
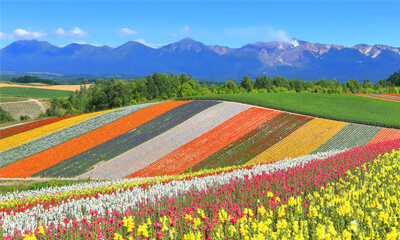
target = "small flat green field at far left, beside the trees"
x: 32, y: 92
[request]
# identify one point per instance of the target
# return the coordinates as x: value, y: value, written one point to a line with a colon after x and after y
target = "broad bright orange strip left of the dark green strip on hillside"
x: 38, y: 162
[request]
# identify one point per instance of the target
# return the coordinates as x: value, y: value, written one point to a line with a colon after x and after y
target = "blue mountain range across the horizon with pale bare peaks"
x: 301, y: 59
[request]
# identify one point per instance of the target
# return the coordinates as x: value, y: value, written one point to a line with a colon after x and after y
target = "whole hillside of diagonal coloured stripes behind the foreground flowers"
x: 172, y: 137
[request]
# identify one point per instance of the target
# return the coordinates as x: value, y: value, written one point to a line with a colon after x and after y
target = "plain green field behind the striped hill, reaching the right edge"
x: 348, y: 108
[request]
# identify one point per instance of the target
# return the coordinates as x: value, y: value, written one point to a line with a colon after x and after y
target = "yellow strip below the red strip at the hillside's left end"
x: 36, y: 133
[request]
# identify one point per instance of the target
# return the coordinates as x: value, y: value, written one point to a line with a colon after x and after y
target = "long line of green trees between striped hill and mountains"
x: 103, y: 94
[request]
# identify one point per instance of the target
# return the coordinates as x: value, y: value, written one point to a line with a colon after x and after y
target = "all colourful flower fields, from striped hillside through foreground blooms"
x: 199, y: 169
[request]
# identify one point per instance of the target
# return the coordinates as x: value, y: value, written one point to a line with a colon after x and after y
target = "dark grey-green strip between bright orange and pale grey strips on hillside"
x: 82, y: 162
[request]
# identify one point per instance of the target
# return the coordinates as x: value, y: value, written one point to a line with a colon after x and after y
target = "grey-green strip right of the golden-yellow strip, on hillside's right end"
x: 350, y: 136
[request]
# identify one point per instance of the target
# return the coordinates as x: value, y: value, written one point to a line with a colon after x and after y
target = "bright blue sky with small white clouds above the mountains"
x: 226, y: 23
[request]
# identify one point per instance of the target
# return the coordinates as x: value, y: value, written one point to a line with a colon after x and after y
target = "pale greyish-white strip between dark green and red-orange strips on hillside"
x: 161, y: 145
